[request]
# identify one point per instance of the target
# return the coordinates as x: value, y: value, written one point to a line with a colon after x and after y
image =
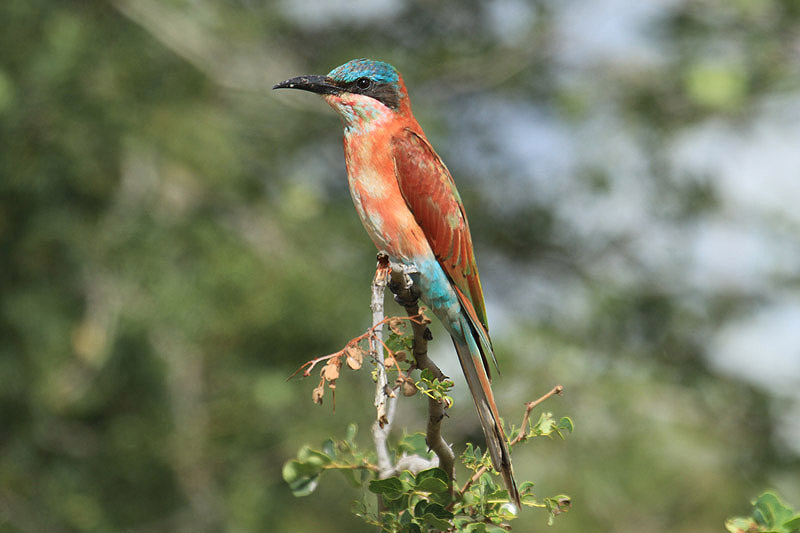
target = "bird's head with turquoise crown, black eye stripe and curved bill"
x: 362, y: 91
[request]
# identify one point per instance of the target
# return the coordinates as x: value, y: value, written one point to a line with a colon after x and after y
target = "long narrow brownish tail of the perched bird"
x: 470, y: 354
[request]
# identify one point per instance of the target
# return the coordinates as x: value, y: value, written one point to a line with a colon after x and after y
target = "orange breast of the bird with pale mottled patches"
x: 378, y: 199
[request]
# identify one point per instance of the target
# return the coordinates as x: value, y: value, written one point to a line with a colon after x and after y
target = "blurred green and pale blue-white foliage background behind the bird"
x: 176, y: 239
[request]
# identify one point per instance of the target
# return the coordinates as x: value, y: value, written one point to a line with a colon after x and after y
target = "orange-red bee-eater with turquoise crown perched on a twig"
x: 410, y: 207
